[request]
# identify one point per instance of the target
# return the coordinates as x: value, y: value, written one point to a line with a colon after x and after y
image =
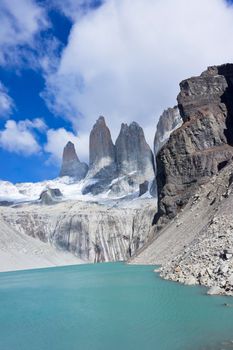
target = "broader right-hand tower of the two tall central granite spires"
x: 133, y: 154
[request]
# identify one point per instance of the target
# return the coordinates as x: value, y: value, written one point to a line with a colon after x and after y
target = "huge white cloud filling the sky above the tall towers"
x: 126, y: 59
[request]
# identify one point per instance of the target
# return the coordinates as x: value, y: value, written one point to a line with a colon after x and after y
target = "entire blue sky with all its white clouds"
x: 65, y: 62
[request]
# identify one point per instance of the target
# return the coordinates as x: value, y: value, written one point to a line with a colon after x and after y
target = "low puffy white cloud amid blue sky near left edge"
x: 19, y: 137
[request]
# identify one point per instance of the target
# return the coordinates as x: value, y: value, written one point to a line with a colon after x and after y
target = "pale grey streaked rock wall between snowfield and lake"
x: 91, y: 231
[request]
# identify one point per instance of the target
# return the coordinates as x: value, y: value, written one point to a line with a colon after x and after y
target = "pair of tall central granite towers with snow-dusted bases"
x: 120, y: 168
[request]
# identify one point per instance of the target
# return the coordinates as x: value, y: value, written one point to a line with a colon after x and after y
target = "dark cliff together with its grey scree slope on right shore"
x: 193, y: 228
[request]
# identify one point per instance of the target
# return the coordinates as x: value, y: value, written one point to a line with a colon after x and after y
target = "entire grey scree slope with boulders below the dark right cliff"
x: 196, y: 247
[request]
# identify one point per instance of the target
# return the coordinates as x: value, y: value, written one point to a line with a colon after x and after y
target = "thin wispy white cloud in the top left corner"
x: 20, y: 22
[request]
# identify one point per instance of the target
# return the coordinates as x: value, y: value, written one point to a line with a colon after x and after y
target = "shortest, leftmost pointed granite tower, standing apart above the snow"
x: 71, y: 165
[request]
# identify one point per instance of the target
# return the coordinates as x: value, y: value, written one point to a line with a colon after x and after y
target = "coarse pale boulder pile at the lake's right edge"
x: 208, y: 262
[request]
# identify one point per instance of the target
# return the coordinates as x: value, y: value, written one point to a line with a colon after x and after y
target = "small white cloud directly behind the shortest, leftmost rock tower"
x: 58, y: 138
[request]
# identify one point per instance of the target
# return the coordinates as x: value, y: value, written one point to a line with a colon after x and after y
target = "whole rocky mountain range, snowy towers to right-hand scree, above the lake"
x: 171, y: 206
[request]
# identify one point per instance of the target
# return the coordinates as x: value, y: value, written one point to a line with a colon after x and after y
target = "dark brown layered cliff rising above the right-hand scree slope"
x: 202, y: 146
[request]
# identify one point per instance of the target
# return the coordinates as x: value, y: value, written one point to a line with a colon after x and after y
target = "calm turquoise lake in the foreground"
x: 108, y: 307
